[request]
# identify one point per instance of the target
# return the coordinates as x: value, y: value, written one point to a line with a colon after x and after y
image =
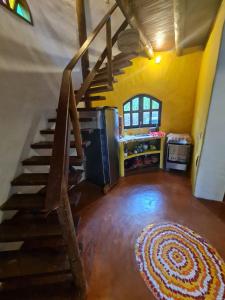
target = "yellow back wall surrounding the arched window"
x: 173, y: 81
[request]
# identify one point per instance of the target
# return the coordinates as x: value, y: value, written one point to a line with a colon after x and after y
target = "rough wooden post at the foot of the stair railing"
x: 69, y: 235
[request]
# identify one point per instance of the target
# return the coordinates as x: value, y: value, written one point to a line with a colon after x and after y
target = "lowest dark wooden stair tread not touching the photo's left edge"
x: 30, y: 179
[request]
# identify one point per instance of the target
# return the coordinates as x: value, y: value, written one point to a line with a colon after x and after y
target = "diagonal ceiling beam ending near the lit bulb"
x: 127, y: 11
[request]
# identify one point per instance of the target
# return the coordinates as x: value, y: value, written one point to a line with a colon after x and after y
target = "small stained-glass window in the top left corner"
x: 20, y: 8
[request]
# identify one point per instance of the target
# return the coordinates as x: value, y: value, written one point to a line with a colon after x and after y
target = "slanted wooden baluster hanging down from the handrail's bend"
x: 75, y: 123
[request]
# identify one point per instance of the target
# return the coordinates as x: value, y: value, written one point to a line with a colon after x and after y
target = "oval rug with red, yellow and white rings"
x: 176, y: 263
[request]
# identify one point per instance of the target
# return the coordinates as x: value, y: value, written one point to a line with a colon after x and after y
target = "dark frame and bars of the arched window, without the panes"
x: 142, y: 110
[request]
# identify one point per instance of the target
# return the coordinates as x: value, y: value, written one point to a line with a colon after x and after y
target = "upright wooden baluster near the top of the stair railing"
x: 109, y: 52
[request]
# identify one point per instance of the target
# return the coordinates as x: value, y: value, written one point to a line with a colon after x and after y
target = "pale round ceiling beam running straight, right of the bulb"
x: 179, y: 8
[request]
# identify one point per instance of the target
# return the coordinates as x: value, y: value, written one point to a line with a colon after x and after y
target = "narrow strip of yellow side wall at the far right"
x: 205, y: 85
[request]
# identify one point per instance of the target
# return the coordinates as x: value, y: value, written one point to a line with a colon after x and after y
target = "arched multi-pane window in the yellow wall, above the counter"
x: 142, y: 111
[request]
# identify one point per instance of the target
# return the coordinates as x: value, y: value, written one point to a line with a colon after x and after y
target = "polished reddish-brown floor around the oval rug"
x: 111, y: 223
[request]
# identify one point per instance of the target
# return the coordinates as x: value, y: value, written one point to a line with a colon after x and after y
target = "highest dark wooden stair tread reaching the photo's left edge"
x: 24, y: 202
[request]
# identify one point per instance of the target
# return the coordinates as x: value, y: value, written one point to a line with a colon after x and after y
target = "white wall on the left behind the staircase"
x: 32, y: 59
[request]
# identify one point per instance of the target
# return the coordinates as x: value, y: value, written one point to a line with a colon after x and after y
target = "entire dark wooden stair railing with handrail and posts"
x: 57, y: 197
